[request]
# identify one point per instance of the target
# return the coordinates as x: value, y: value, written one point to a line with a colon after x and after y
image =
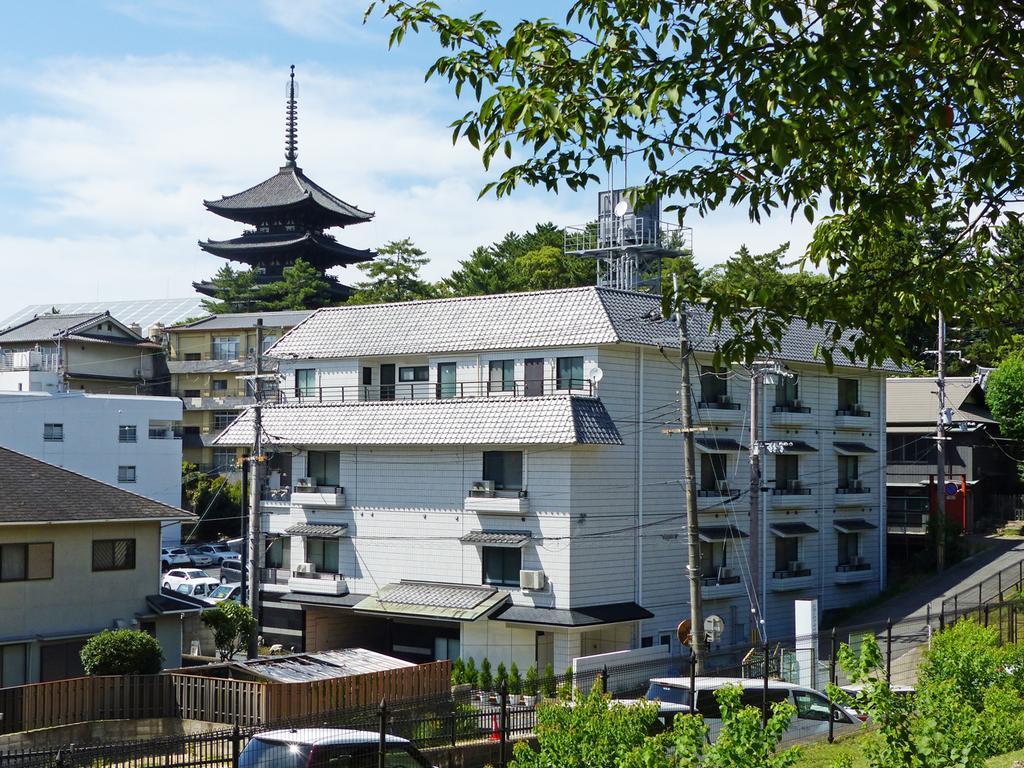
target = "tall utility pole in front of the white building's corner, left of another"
x: 690, y: 488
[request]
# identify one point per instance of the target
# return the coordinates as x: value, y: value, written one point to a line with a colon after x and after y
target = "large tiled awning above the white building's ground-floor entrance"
x: 454, y: 603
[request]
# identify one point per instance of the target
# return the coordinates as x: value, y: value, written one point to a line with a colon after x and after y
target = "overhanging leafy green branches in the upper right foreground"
x: 892, y: 117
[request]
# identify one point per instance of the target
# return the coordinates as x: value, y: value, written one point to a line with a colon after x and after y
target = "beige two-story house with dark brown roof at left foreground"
x: 77, y: 557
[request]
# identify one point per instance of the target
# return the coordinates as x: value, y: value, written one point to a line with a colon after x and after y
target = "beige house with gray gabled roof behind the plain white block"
x: 91, y: 353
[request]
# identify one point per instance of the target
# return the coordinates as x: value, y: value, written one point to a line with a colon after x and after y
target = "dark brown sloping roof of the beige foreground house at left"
x: 37, y: 492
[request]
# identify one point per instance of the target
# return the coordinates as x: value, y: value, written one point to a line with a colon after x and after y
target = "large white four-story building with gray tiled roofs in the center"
x: 496, y: 477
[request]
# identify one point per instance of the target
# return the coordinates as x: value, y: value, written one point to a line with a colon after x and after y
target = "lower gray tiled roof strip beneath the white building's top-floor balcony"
x: 474, y: 421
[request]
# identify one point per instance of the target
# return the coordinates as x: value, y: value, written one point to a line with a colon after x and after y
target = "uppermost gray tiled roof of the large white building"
x: 574, y: 317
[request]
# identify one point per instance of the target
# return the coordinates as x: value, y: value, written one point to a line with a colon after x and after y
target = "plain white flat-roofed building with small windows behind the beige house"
x: 131, y: 442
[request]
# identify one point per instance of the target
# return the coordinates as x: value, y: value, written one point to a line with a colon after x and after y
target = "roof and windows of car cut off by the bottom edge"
x: 321, y: 748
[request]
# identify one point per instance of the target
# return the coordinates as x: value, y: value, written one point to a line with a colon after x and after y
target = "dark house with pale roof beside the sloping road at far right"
x: 980, y: 470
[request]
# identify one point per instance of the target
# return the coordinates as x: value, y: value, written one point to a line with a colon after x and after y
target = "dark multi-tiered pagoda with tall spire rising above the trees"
x: 289, y: 215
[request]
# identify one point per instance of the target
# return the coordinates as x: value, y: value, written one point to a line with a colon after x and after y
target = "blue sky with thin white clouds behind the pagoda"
x: 119, y: 117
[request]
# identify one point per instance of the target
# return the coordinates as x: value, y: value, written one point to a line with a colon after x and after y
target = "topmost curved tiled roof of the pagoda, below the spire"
x: 288, y: 189
